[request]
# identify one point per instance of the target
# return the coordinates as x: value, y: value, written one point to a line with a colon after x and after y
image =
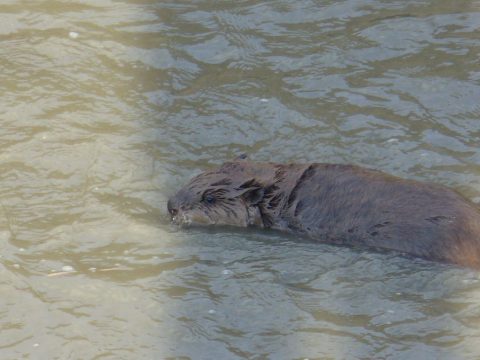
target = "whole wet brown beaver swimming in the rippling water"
x: 337, y: 204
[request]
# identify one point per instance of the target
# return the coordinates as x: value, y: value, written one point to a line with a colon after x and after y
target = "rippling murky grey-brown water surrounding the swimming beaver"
x: 106, y: 108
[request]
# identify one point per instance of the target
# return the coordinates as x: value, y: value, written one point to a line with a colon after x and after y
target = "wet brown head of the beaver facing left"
x: 228, y: 195
